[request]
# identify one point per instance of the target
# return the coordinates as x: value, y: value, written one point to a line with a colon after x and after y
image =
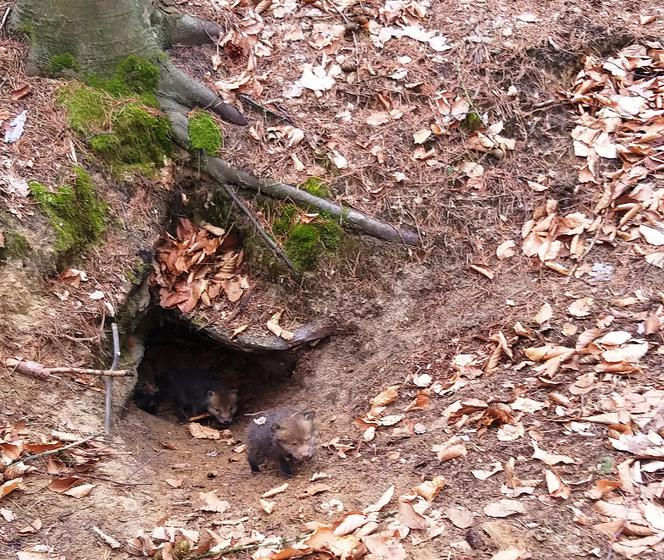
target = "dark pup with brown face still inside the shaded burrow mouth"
x: 197, y: 391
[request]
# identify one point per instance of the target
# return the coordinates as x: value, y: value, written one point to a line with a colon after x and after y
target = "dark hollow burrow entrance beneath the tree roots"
x: 177, y: 355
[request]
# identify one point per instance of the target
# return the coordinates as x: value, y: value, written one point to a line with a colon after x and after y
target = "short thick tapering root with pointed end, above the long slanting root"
x: 176, y: 86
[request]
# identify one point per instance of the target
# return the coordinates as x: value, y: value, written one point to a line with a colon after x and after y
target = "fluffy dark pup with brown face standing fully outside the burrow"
x: 282, y: 435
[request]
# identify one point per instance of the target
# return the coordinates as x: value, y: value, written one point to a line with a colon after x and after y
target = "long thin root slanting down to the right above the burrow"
x: 224, y: 173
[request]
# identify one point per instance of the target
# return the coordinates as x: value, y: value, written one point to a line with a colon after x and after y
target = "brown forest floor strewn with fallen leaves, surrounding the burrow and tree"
x: 502, y: 385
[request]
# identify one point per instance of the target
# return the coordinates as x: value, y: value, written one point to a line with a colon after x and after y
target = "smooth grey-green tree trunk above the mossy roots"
x: 97, y: 33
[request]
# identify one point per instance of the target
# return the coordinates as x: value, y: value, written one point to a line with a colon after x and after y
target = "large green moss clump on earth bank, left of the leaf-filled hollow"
x: 76, y: 213
